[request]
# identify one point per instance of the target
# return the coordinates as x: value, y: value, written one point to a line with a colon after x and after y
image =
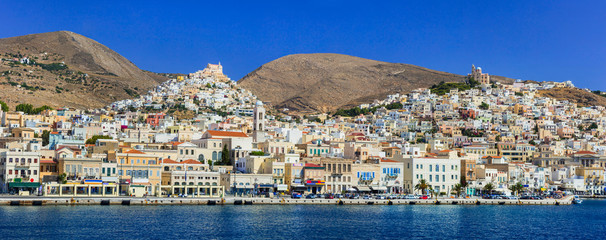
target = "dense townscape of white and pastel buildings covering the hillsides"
x: 203, y: 135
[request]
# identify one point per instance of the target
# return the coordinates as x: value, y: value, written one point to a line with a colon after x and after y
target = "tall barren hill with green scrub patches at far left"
x: 67, y: 69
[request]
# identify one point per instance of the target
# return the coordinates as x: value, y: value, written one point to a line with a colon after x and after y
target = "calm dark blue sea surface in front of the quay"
x: 585, y: 221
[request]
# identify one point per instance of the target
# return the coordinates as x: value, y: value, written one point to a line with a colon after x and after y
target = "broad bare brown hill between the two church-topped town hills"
x: 325, y: 82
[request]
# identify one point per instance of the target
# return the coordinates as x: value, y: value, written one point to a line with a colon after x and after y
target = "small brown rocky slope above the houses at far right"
x: 579, y: 96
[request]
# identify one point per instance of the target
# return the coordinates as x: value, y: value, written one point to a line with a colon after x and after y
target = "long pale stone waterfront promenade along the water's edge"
x: 39, y: 201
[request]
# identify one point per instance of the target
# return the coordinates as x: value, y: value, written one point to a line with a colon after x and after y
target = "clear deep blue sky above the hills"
x: 538, y: 40
